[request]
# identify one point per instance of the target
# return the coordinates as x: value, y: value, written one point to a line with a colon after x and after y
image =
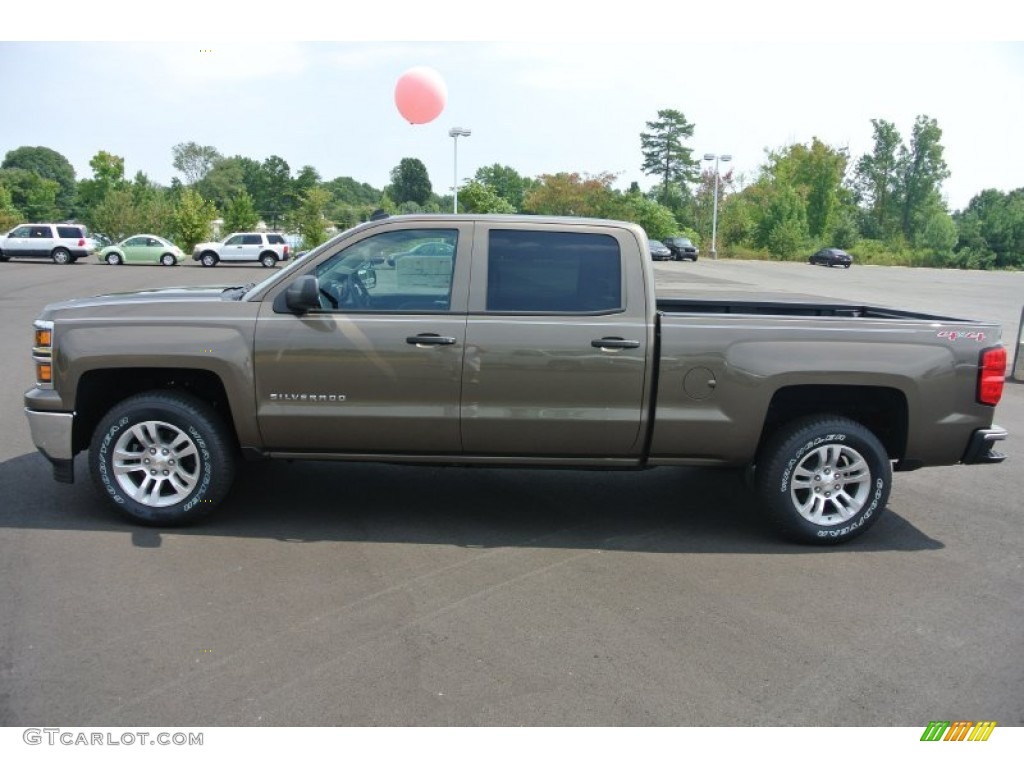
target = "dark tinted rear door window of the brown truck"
x: 539, y: 272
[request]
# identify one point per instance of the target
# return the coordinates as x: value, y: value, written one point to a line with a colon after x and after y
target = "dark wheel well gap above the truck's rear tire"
x: 882, y: 410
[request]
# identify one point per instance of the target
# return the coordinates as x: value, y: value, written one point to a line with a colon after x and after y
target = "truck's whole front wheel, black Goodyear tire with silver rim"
x: 176, y: 461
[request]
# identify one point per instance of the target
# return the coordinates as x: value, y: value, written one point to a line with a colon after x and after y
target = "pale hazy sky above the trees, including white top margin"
x: 558, y: 88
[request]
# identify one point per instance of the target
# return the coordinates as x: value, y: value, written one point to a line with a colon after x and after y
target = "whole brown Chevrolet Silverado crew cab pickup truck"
x: 507, y: 342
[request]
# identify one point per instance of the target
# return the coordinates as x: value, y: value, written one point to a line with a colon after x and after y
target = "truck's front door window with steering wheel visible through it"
x: 401, y: 271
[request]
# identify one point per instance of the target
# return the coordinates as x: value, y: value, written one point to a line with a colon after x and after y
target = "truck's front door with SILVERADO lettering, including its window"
x: 378, y: 368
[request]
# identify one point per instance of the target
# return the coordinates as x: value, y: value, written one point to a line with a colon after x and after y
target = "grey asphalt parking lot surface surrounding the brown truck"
x: 374, y: 595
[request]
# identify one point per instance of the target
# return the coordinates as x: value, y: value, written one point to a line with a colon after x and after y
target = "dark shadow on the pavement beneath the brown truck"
x: 665, y: 510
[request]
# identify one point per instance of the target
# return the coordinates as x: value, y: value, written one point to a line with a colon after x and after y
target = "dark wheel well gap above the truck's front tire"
x: 101, y: 391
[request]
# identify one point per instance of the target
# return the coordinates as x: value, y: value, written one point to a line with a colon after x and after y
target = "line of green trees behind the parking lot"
x: 887, y: 205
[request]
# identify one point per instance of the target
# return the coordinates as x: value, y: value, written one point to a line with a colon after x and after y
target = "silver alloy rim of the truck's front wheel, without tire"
x: 156, y: 463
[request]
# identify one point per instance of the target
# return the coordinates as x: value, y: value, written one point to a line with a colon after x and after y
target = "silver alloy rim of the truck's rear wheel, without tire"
x: 831, y: 485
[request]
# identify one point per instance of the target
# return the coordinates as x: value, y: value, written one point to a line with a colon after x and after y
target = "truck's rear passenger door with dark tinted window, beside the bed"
x: 558, y: 344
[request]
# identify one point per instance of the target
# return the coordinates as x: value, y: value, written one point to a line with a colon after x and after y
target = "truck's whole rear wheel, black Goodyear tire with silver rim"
x: 824, y: 480
